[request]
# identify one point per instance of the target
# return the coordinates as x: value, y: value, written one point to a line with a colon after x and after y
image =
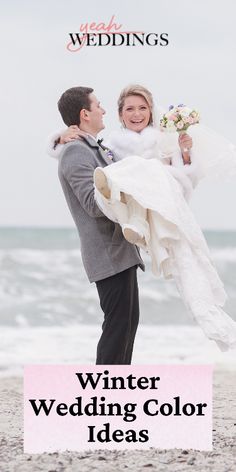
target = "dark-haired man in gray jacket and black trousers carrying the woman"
x: 109, y: 260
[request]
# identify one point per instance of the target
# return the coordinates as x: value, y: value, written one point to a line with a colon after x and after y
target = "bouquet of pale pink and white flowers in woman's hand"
x: 179, y: 119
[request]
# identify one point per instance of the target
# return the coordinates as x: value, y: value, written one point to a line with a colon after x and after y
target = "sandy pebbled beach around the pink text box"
x: 221, y: 459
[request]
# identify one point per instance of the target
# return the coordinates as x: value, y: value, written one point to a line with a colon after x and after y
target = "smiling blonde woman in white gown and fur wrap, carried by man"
x: 145, y: 192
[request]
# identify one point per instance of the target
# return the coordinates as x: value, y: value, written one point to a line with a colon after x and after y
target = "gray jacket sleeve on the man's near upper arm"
x: 78, y: 169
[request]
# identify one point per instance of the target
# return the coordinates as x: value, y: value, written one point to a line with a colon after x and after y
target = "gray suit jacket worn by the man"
x: 104, y: 250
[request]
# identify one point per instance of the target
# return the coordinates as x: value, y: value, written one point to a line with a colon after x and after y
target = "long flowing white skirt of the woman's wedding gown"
x: 175, y: 241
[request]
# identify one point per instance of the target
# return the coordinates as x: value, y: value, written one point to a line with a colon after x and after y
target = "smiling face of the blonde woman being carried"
x: 135, y: 113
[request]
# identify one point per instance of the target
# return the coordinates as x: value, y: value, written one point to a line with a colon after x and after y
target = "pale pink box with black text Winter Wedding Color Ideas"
x: 117, y: 407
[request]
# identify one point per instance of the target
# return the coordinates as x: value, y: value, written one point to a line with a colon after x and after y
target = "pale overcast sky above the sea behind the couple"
x: 197, y: 68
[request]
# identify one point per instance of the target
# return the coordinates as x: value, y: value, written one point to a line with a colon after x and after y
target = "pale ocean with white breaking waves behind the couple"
x: 50, y: 313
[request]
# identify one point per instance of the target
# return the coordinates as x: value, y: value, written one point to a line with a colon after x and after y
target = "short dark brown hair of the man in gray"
x: 72, y: 102
